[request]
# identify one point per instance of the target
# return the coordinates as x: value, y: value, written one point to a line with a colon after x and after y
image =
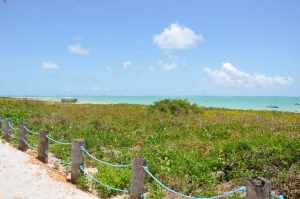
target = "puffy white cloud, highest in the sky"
x: 177, y: 37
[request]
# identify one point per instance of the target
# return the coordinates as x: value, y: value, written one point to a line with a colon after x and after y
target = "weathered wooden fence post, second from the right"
x: 137, y: 178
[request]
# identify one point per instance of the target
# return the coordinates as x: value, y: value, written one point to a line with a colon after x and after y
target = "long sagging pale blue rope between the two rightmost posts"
x: 223, y: 195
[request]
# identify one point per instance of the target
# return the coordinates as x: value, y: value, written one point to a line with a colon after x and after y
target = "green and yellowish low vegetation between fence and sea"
x: 194, y: 150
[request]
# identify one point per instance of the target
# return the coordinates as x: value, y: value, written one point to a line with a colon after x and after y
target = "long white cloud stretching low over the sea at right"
x: 230, y: 76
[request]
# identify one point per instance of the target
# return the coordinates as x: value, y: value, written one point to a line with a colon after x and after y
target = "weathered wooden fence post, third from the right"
x: 77, y: 159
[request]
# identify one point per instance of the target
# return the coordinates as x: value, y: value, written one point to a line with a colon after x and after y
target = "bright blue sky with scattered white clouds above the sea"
x: 134, y: 47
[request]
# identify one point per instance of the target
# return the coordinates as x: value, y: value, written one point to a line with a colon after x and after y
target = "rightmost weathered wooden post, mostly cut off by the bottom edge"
x: 258, y: 188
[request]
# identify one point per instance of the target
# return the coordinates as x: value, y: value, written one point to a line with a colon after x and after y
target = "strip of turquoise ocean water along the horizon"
x: 232, y: 102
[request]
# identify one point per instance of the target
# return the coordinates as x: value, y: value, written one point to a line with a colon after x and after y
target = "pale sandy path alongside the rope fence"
x: 23, y: 177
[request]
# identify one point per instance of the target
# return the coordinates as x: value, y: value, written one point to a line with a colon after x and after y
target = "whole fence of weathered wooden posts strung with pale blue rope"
x: 255, y: 188
